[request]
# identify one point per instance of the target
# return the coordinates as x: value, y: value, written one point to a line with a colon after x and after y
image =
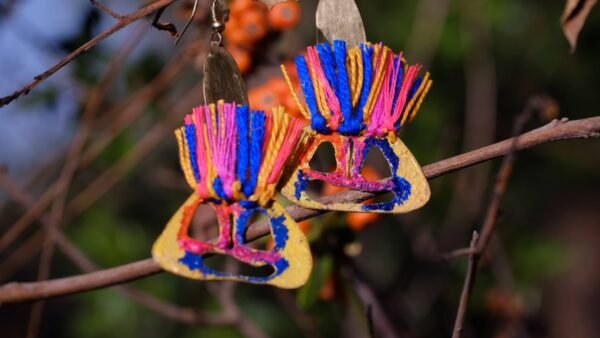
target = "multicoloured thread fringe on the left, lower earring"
x: 230, y: 153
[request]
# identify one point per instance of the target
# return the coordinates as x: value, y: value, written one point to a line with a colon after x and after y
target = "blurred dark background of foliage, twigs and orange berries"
x: 112, y: 111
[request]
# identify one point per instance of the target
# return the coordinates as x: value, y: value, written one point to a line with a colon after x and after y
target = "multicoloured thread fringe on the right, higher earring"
x: 367, y: 90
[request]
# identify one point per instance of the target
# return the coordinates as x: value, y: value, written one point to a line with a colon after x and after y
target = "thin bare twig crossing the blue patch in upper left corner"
x: 123, y: 22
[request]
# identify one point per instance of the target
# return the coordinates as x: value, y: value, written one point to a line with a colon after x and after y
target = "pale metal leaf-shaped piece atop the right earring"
x: 340, y: 20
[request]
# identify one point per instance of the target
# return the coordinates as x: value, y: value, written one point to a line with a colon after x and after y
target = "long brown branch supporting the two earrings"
x: 556, y: 130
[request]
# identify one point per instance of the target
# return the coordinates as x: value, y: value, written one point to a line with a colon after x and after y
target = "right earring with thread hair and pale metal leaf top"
x: 358, y: 99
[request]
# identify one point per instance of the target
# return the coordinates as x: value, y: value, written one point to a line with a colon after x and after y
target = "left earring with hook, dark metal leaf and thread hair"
x: 233, y: 159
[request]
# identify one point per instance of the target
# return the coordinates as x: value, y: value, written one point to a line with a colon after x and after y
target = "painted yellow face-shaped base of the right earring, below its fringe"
x: 407, y: 183
